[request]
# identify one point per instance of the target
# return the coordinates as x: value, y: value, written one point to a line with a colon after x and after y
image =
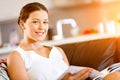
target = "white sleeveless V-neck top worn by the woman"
x: 41, y: 68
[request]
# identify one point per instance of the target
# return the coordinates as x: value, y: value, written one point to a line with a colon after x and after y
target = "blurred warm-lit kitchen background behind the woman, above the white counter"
x: 68, y: 18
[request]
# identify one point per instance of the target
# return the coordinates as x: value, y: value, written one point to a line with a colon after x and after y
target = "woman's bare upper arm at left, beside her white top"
x: 16, y: 68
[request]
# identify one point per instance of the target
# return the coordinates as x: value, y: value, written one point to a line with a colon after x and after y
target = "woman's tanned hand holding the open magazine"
x: 81, y: 75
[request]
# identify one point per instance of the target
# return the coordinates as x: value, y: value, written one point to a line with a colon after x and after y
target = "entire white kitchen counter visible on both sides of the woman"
x: 7, y: 50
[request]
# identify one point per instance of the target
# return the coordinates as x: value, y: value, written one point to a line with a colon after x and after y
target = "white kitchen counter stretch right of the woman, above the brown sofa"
x: 79, y: 39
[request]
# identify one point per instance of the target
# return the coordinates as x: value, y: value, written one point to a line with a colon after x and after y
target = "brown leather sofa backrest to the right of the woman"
x: 97, y: 54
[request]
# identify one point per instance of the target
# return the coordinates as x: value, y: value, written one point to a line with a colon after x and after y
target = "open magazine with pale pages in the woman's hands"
x: 95, y: 75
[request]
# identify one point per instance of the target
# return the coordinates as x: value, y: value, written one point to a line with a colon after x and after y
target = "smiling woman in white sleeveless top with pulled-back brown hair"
x: 32, y: 61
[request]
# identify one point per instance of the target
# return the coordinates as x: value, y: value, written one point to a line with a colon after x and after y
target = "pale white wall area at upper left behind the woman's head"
x: 10, y: 8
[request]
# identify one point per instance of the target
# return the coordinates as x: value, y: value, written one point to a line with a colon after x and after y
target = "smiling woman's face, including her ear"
x: 36, y: 26
